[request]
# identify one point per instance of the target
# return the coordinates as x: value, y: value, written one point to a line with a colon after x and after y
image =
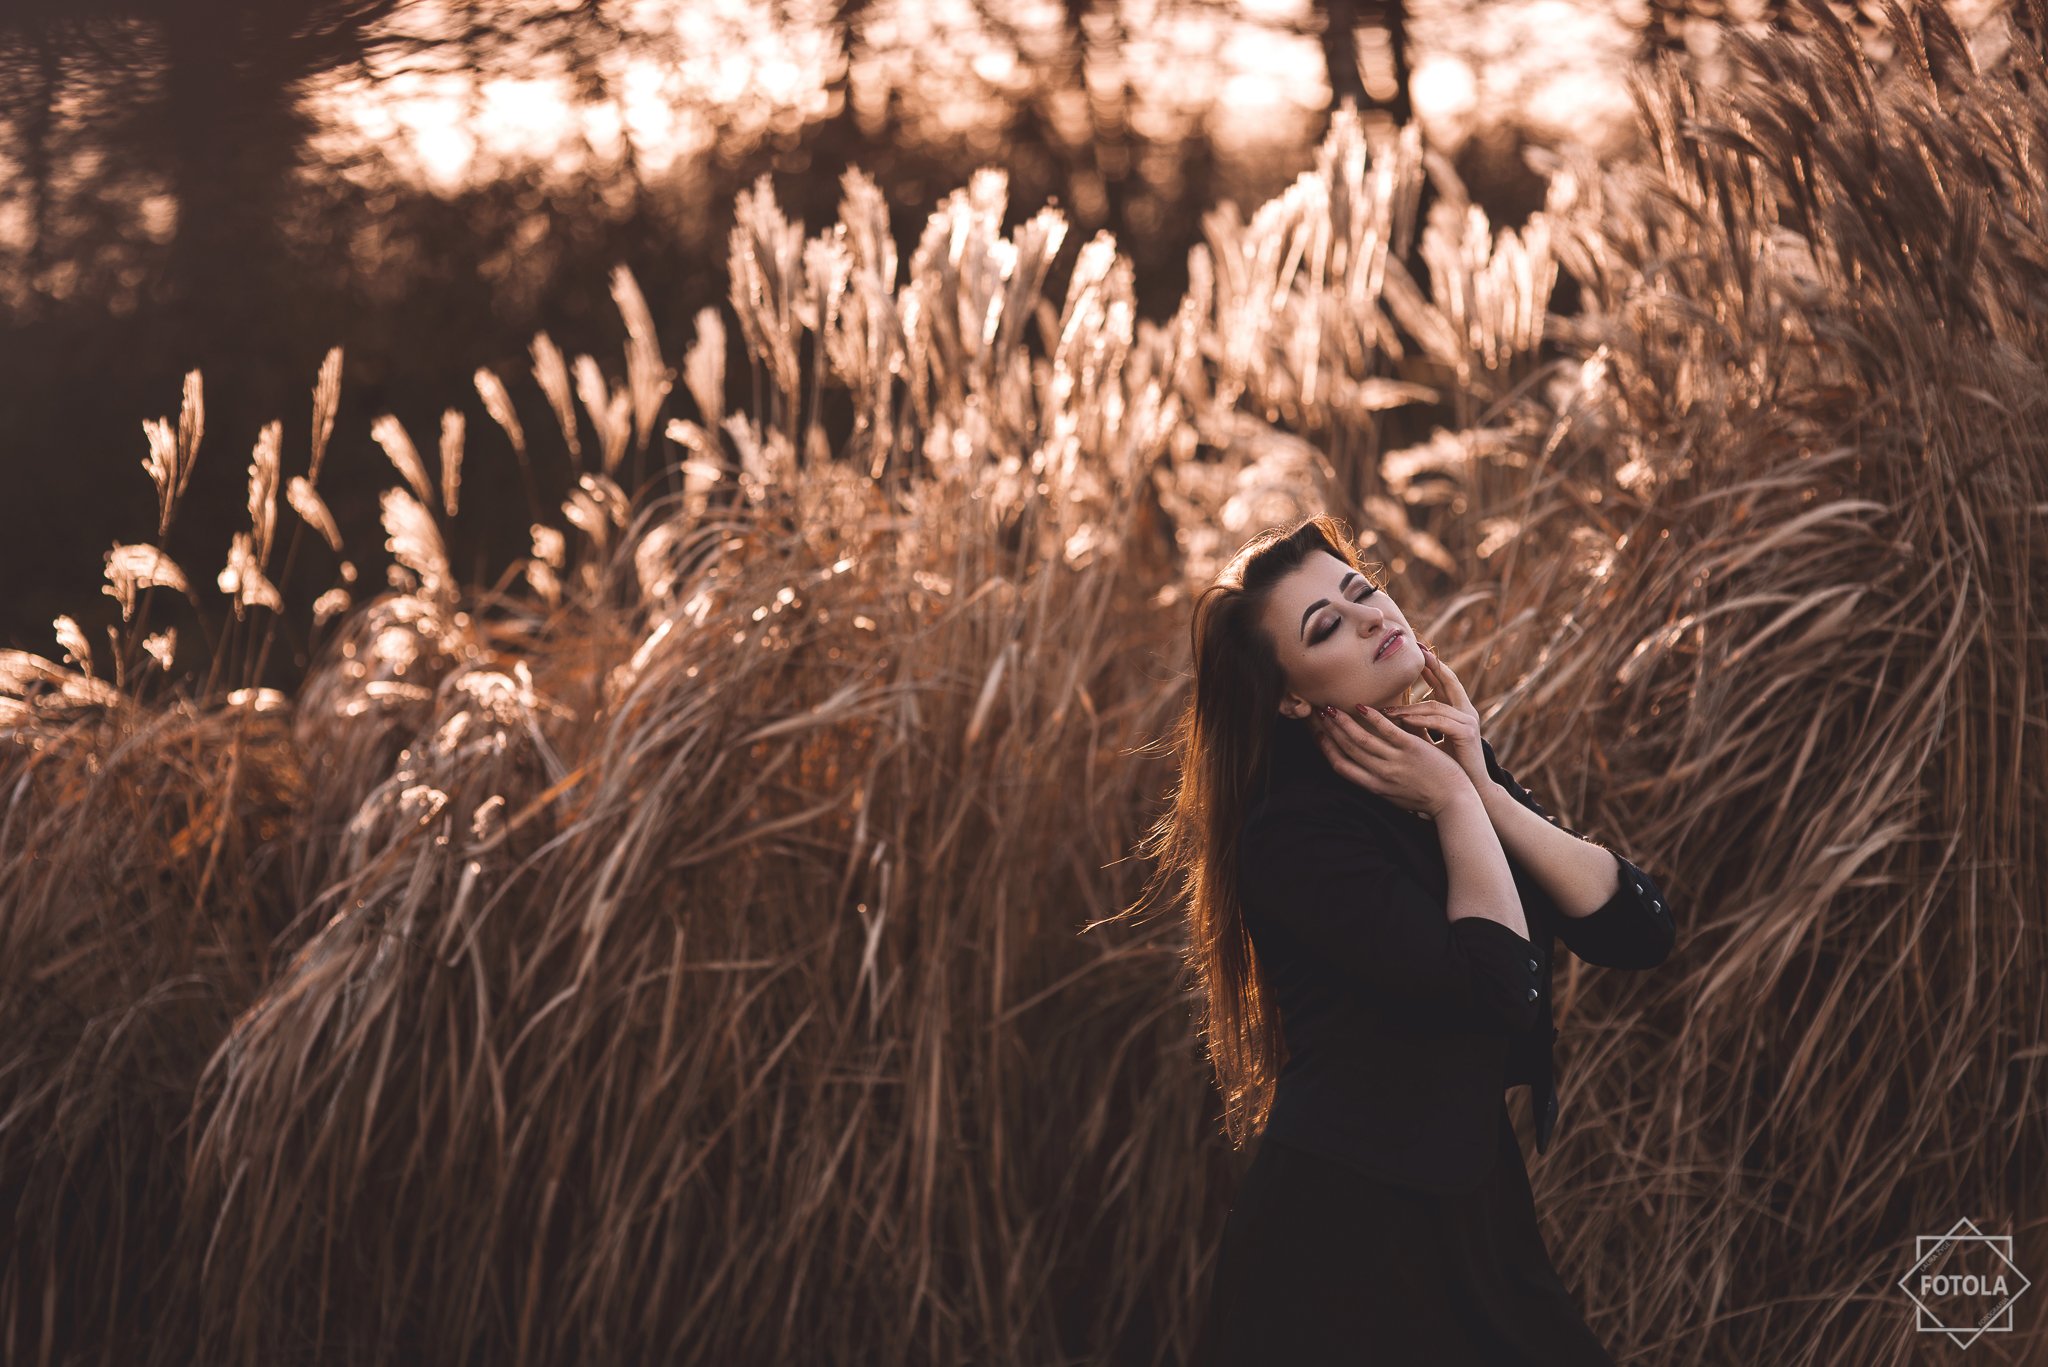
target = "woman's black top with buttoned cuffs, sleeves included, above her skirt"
x: 1404, y: 1028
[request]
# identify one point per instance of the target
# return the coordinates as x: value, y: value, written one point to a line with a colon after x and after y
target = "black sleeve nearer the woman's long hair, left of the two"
x: 1338, y: 893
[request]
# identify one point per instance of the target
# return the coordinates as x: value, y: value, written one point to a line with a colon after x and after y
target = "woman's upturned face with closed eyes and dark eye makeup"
x: 1340, y: 640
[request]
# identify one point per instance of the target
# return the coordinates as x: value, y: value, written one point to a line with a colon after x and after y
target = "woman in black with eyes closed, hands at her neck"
x: 1373, y: 907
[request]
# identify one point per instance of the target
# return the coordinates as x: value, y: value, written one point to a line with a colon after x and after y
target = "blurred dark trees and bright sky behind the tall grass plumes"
x: 239, y: 185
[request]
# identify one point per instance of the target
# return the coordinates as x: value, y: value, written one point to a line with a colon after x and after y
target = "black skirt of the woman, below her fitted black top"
x: 1326, y: 1266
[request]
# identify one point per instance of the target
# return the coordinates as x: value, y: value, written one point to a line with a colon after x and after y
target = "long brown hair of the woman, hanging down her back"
x: 1222, y: 745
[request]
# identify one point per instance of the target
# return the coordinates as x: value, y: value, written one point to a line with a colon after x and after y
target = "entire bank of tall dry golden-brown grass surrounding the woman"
x: 677, y: 952
